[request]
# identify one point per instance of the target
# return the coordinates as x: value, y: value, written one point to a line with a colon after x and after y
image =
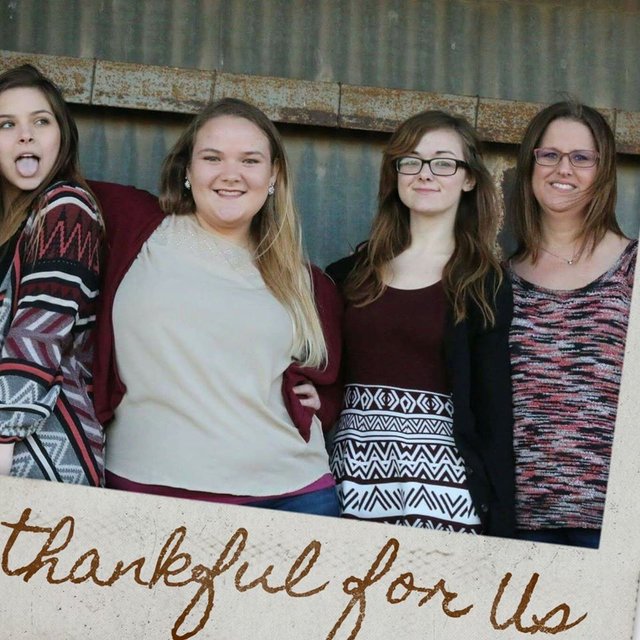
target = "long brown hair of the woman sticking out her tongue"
x: 66, y: 165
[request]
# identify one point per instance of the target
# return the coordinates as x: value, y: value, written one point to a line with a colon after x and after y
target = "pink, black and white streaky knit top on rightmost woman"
x: 567, y: 349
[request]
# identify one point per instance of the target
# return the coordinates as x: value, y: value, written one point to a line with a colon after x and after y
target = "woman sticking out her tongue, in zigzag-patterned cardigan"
x: 50, y: 237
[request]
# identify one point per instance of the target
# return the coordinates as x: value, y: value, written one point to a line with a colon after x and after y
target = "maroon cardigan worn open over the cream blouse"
x: 131, y: 216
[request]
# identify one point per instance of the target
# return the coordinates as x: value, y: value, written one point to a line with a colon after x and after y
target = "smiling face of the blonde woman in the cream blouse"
x: 230, y: 172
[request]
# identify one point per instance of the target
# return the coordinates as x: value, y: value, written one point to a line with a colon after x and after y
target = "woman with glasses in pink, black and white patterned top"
x: 572, y: 275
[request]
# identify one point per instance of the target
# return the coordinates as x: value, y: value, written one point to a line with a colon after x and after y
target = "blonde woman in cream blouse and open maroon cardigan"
x: 211, y: 354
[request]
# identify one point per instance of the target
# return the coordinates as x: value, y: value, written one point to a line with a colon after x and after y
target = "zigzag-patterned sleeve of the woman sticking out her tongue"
x: 49, y: 306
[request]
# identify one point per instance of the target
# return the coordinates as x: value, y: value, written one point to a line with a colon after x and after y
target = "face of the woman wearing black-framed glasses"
x: 426, y: 194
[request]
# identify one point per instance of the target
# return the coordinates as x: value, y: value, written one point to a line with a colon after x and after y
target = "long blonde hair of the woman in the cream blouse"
x: 275, y: 229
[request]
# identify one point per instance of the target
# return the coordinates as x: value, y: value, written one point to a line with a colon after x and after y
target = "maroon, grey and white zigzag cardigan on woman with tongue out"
x: 47, y: 312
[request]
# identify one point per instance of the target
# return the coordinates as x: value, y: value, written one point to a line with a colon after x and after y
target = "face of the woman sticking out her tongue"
x: 29, y: 140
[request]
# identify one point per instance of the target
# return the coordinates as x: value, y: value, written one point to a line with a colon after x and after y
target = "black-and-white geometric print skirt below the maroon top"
x: 395, y: 461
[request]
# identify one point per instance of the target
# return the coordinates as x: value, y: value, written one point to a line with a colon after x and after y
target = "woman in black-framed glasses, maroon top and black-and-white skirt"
x: 425, y: 435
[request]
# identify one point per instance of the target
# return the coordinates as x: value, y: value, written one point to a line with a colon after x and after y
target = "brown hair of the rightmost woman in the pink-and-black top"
x: 525, y: 212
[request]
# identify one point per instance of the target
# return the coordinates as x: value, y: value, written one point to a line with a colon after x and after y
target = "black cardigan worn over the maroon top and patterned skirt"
x: 479, y: 374
